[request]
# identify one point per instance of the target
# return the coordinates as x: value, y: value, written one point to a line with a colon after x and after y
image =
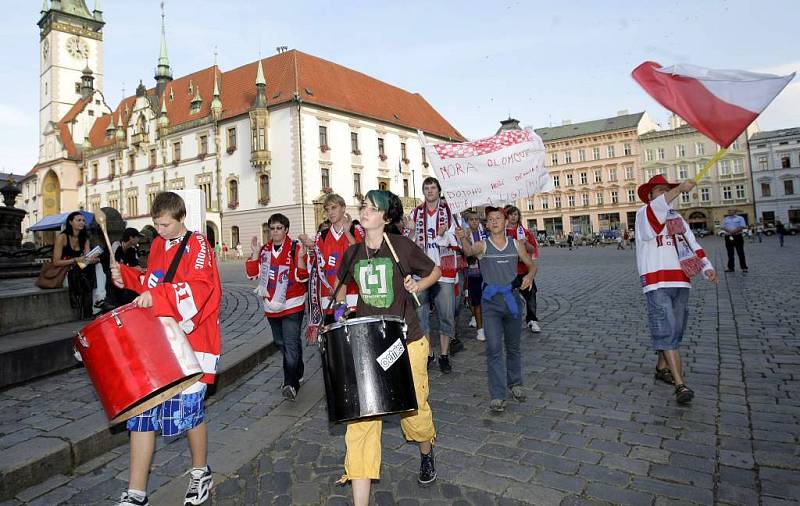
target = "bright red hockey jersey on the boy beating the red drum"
x: 193, y: 298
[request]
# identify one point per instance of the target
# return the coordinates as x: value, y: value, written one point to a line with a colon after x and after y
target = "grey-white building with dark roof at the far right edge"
x: 775, y: 159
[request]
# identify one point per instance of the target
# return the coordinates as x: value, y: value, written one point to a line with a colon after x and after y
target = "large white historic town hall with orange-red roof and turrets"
x: 274, y: 135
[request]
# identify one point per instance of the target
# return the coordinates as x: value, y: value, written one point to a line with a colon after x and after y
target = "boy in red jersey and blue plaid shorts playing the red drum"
x: 192, y: 297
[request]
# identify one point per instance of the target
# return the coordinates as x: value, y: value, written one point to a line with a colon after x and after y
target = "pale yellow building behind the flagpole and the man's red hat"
x: 680, y: 153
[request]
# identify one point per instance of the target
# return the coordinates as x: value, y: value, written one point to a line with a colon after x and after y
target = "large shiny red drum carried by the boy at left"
x: 136, y: 360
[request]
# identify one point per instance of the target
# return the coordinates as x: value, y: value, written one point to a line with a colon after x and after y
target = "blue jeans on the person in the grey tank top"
x: 502, y: 328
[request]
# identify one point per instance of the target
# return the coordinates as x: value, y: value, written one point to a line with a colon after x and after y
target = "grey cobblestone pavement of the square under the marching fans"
x: 596, y: 428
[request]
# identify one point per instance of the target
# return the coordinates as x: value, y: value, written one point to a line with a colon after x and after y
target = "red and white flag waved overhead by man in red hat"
x: 719, y: 103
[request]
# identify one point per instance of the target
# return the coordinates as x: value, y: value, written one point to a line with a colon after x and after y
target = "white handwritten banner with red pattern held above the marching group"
x: 494, y: 171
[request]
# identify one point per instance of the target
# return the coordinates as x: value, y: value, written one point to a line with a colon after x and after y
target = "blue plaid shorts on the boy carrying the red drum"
x: 173, y: 416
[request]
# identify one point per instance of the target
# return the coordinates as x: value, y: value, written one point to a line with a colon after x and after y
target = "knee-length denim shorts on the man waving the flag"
x: 667, y: 311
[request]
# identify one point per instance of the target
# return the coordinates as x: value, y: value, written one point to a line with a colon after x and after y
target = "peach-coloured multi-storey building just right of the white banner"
x: 595, y: 171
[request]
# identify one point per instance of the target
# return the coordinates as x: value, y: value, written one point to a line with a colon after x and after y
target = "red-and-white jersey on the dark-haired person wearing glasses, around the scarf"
x: 296, y: 288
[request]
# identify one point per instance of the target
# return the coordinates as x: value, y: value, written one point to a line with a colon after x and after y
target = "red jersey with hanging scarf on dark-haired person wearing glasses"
x: 280, y: 282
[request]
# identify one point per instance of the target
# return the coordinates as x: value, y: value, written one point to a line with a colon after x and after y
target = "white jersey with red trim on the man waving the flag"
x: 656, y: 255
